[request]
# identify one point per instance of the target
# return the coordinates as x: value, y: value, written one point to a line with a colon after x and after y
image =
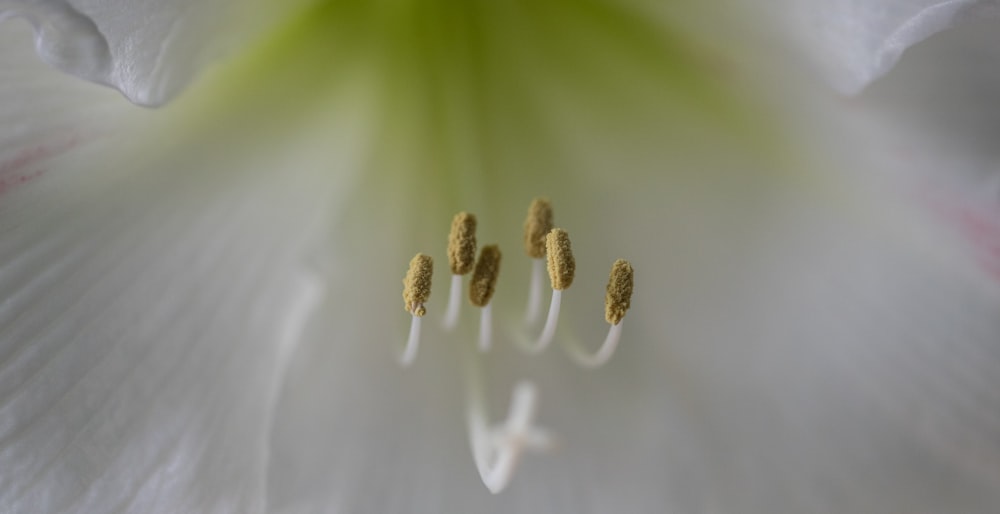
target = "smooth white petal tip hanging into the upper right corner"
x: 853, y: 42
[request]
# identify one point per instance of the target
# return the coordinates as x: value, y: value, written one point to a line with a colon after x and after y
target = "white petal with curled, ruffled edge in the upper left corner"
x: 150, y: 49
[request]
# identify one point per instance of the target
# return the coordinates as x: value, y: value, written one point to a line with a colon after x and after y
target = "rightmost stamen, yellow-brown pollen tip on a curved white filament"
x: 616, y: 302
